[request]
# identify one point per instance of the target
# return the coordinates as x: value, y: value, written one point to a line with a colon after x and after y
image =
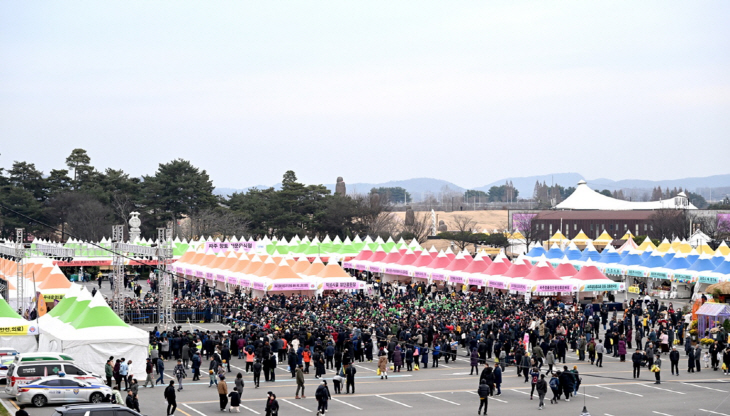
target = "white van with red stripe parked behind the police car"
x: 28, y: 367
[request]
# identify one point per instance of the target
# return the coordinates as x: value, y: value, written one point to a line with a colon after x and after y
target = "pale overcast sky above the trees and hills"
x: 469, y: 92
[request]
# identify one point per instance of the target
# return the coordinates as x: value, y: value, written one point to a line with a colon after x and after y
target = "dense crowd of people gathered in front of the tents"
x: 408, y: 328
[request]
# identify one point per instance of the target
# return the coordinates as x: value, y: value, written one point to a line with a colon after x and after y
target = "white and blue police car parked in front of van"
x: 60, y: 389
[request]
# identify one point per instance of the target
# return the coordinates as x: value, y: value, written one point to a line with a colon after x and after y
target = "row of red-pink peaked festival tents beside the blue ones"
x: 415, y: 264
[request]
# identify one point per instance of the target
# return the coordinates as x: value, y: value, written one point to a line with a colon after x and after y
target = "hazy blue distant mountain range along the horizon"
x: 717, y: 185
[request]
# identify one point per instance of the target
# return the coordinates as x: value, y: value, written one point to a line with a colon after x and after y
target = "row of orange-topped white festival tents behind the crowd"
x: 264, y: 273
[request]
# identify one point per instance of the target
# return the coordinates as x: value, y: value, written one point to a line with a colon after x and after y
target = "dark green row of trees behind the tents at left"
x: 84, y: 202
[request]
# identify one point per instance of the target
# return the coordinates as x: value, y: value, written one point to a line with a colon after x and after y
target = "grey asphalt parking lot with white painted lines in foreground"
x: 450, y: 389
